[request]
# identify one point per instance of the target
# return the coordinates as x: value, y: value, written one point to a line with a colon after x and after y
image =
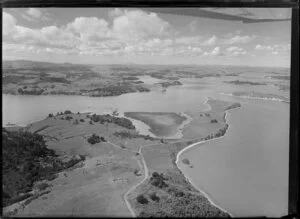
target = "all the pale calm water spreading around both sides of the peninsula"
x: 246, y: 172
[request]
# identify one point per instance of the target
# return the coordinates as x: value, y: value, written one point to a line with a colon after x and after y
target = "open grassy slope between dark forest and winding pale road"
x: 98, y: 187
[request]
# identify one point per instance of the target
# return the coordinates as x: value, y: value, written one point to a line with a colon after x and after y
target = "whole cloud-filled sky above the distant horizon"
x: 141, y: 36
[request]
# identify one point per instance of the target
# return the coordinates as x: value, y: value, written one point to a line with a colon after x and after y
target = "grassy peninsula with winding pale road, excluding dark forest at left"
x: 123, y: 173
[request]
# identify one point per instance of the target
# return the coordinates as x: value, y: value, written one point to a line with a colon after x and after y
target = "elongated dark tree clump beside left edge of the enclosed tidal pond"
x: 124, y: 122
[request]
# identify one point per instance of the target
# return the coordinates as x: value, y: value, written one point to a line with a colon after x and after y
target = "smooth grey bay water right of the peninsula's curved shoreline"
x: 246, y: 171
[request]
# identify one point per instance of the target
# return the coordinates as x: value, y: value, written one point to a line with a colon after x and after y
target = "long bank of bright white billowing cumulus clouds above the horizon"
x: 127, y: 32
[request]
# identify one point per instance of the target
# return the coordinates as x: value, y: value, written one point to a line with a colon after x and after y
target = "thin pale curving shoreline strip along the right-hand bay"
x: 190, y: 180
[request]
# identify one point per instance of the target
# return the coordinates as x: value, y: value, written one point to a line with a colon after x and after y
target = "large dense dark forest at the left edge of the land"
x: 26, y: 159
